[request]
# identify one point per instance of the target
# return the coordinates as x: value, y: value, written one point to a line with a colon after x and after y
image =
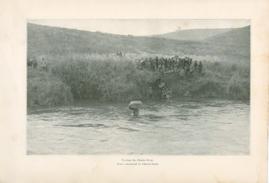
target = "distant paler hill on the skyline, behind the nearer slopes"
x: 192, y: 34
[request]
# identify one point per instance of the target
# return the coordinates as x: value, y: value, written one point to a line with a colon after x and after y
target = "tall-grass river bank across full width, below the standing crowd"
x: 121, y: 79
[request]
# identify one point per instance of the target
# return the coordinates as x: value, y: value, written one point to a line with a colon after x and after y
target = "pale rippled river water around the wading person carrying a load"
x: 215, y: 127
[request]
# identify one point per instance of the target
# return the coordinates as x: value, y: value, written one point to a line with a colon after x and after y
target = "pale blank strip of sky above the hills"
x: 141, y: 27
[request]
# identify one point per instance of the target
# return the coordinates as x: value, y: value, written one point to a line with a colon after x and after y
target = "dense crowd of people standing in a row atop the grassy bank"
x: 172, y: 64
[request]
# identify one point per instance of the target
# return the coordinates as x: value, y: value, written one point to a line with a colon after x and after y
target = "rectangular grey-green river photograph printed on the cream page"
x: 138, y: 86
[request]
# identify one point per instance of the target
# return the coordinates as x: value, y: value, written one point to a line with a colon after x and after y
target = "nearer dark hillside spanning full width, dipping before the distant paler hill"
x: 46, y: 40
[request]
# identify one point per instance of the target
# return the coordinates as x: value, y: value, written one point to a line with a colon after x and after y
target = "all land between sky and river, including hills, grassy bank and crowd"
x: 65, y: 66
